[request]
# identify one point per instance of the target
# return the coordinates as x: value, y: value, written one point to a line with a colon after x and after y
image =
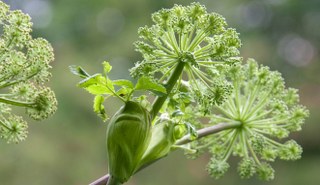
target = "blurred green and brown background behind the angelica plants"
x: 69, y: 148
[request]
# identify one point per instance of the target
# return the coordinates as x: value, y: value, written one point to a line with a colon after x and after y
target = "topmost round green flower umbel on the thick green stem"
x: 186, y: 34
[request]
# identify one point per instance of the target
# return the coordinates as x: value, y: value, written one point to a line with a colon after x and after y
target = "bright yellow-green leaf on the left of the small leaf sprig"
x: 97, y: 84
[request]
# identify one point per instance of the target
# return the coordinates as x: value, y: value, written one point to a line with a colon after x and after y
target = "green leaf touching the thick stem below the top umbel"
x: 145, y: 83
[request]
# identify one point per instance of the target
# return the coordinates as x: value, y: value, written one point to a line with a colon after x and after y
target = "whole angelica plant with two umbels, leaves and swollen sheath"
x: 191, y: 70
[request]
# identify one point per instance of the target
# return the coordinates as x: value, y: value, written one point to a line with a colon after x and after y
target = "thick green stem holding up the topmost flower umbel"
x: 175, y: 75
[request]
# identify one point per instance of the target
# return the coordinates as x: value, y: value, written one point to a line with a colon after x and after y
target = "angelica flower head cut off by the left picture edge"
x: 24, y: 65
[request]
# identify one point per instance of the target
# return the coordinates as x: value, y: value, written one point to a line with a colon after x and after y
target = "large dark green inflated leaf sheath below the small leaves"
x: 128, y: 136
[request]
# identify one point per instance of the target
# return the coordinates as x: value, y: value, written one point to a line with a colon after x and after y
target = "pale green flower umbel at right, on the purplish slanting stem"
x: 264, y: 112
